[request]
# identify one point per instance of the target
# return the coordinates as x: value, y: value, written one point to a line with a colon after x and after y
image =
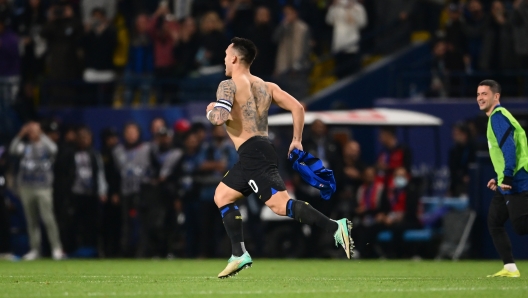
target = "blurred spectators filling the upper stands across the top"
x: 136, y: 51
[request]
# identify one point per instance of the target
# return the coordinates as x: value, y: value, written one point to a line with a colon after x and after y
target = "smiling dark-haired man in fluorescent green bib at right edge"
x: 509, y: 154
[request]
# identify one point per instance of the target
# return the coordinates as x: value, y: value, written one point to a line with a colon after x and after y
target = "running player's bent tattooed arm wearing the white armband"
x: 218, y: 112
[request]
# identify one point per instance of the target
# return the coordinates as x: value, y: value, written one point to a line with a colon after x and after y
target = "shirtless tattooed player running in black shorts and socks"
x: 242, y: 103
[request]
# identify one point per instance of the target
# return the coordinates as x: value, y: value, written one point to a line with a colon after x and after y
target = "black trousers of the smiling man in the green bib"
x: 502, y: 207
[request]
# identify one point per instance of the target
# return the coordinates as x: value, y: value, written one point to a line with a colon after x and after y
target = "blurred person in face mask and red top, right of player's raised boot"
x: 403, y: 196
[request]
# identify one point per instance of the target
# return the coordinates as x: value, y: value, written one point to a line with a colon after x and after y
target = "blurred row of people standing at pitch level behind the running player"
x: 155, y: 198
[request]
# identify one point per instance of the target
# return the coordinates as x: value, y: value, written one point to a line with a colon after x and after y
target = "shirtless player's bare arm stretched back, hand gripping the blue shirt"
x: 288, y: 102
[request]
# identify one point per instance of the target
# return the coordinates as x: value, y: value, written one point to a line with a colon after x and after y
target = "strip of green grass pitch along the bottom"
x: 267, y: 278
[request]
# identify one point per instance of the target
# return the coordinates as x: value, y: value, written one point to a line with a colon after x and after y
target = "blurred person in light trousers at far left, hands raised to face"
x: 36, y: 153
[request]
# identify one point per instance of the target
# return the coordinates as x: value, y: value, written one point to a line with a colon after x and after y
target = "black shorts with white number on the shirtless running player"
x: 256, y: 170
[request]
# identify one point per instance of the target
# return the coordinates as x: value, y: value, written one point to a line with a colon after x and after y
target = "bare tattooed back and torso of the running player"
x: 251, y: 103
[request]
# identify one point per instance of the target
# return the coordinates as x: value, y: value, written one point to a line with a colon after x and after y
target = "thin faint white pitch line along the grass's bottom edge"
x: 271, y: 292
